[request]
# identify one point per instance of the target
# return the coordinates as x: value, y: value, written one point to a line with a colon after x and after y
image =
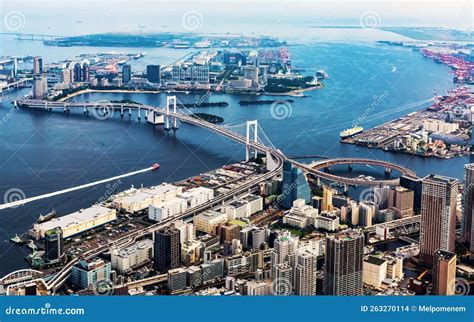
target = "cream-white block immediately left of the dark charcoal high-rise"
x: 124, y: 260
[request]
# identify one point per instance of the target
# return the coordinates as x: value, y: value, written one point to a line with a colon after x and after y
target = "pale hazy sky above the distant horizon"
x: 120, y: 15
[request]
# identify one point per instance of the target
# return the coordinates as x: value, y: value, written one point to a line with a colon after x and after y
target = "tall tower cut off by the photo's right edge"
x: 468, y: 207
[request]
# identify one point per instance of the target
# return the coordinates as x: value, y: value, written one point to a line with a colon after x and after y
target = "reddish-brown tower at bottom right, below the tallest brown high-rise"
x: 444, y: 273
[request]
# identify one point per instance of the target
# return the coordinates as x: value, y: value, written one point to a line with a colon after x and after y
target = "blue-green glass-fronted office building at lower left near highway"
x: 87, y: 273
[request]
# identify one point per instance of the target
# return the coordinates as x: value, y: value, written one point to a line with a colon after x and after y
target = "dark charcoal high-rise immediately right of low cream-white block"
x: 167, y: 248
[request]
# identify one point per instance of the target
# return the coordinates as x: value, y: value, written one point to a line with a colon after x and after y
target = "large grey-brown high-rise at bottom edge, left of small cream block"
x: 343, y: 264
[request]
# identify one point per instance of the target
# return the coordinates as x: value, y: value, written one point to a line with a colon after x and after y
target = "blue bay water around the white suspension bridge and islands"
x: 42, y: 152
